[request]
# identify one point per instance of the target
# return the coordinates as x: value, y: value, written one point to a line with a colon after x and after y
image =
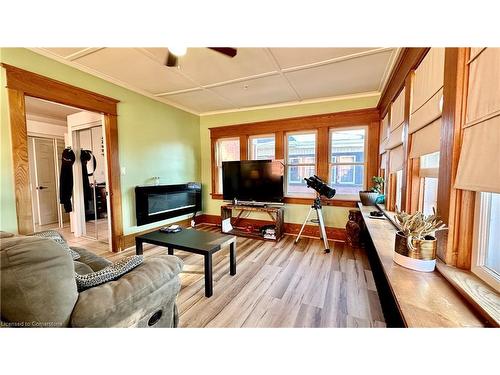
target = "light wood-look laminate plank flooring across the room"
x: 277, y: 285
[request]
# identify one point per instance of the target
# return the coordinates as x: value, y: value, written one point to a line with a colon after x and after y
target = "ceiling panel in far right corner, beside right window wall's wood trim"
x: 347, y: 77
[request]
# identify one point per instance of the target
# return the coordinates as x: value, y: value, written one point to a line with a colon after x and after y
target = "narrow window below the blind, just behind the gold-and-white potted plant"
x: 429, y: 170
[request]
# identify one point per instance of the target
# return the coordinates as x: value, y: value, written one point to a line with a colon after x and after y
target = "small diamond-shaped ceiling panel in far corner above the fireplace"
x: 200, y: 101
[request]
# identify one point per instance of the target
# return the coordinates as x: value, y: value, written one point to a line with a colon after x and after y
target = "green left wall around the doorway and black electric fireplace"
x: 155, y: 139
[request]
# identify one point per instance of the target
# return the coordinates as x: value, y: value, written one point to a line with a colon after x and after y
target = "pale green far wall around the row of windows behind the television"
x: 294, y: 213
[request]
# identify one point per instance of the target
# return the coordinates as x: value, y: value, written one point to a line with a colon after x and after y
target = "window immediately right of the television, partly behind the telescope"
x: 300, y: 162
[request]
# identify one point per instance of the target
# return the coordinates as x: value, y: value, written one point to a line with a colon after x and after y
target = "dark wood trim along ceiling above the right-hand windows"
x: 407, y: 61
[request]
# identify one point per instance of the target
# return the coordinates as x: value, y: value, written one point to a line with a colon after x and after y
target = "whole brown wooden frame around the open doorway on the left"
x: 22, y: 83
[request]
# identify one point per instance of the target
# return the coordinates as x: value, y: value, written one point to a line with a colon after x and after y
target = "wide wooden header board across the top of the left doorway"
x: 38, y: 86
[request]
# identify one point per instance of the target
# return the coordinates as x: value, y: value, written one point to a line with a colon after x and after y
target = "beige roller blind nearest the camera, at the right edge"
x: 478, y: 167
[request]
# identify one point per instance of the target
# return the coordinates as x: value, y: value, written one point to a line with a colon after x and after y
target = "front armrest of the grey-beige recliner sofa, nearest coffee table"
x: 143, y: 295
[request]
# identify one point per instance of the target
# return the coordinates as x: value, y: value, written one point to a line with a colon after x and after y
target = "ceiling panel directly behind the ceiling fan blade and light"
x: 207, y: 67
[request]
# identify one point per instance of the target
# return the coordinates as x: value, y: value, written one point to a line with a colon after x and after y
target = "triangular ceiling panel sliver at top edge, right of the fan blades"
x: 292, y: 57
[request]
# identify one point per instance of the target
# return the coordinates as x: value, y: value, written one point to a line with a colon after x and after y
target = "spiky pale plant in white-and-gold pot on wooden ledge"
x: 415, y: 244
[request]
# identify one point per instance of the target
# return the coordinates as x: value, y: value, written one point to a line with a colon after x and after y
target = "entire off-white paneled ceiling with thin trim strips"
x: 206, y: 81
